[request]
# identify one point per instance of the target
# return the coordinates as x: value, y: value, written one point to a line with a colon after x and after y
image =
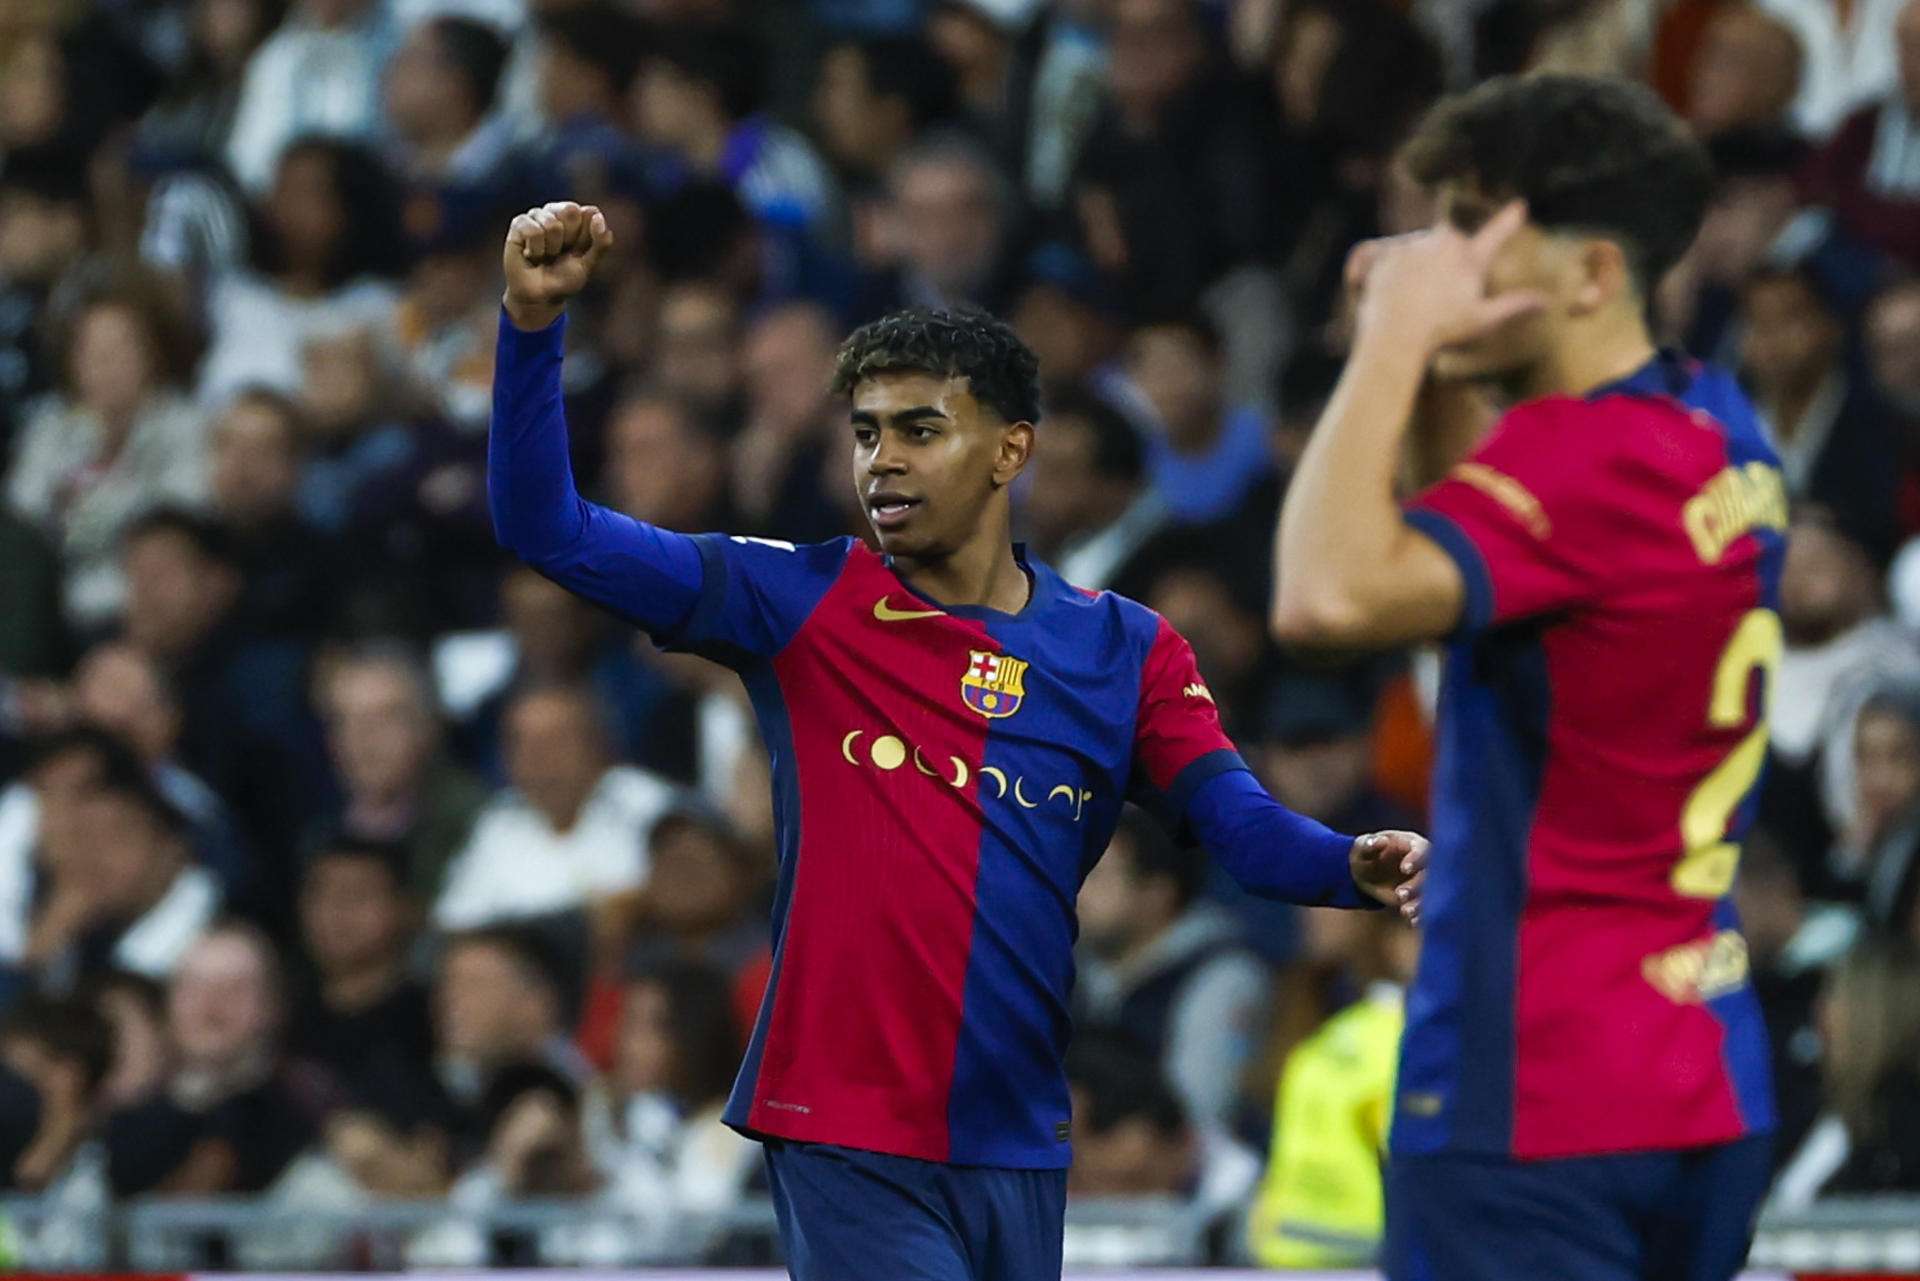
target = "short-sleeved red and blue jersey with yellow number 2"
x: 1602, y: 735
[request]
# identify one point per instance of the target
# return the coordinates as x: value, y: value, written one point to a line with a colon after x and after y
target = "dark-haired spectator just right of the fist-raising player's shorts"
x: 1134, y: 1138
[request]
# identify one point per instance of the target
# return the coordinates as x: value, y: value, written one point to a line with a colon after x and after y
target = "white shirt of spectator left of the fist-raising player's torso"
x: 517, y: 865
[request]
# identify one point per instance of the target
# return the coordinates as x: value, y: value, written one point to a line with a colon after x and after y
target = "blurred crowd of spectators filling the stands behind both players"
x: 345, y: 859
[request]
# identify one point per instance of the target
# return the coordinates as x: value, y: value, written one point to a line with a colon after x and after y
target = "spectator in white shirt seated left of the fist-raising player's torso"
x: 571, y: 833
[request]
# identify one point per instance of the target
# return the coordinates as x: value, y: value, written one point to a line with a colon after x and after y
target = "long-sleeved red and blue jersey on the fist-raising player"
x: 944, y: 781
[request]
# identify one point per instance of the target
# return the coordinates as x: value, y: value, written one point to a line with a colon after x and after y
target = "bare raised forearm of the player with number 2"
x: 1341, y: 527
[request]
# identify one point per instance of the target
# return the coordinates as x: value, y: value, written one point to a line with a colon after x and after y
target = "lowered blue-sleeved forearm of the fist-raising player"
x: 1270, y: 850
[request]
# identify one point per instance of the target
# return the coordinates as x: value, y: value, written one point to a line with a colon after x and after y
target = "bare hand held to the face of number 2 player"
x: 1431, y: 287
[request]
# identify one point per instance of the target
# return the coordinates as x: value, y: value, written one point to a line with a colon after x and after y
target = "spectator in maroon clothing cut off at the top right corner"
x: 1871, y: 172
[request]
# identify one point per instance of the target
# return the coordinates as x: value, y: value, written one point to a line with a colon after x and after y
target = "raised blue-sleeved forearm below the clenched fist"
x: 640, y: 571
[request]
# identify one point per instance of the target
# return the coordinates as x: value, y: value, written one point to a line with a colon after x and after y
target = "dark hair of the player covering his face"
x: 1585, y: 155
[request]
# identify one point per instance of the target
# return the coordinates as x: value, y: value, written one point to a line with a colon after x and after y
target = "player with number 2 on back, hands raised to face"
x: 1583, y: 1090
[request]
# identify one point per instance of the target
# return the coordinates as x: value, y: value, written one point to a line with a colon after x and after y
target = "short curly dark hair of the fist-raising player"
x: 999, y: 368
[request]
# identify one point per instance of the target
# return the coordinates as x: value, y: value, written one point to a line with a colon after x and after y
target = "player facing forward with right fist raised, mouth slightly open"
x: 953, y: 733
